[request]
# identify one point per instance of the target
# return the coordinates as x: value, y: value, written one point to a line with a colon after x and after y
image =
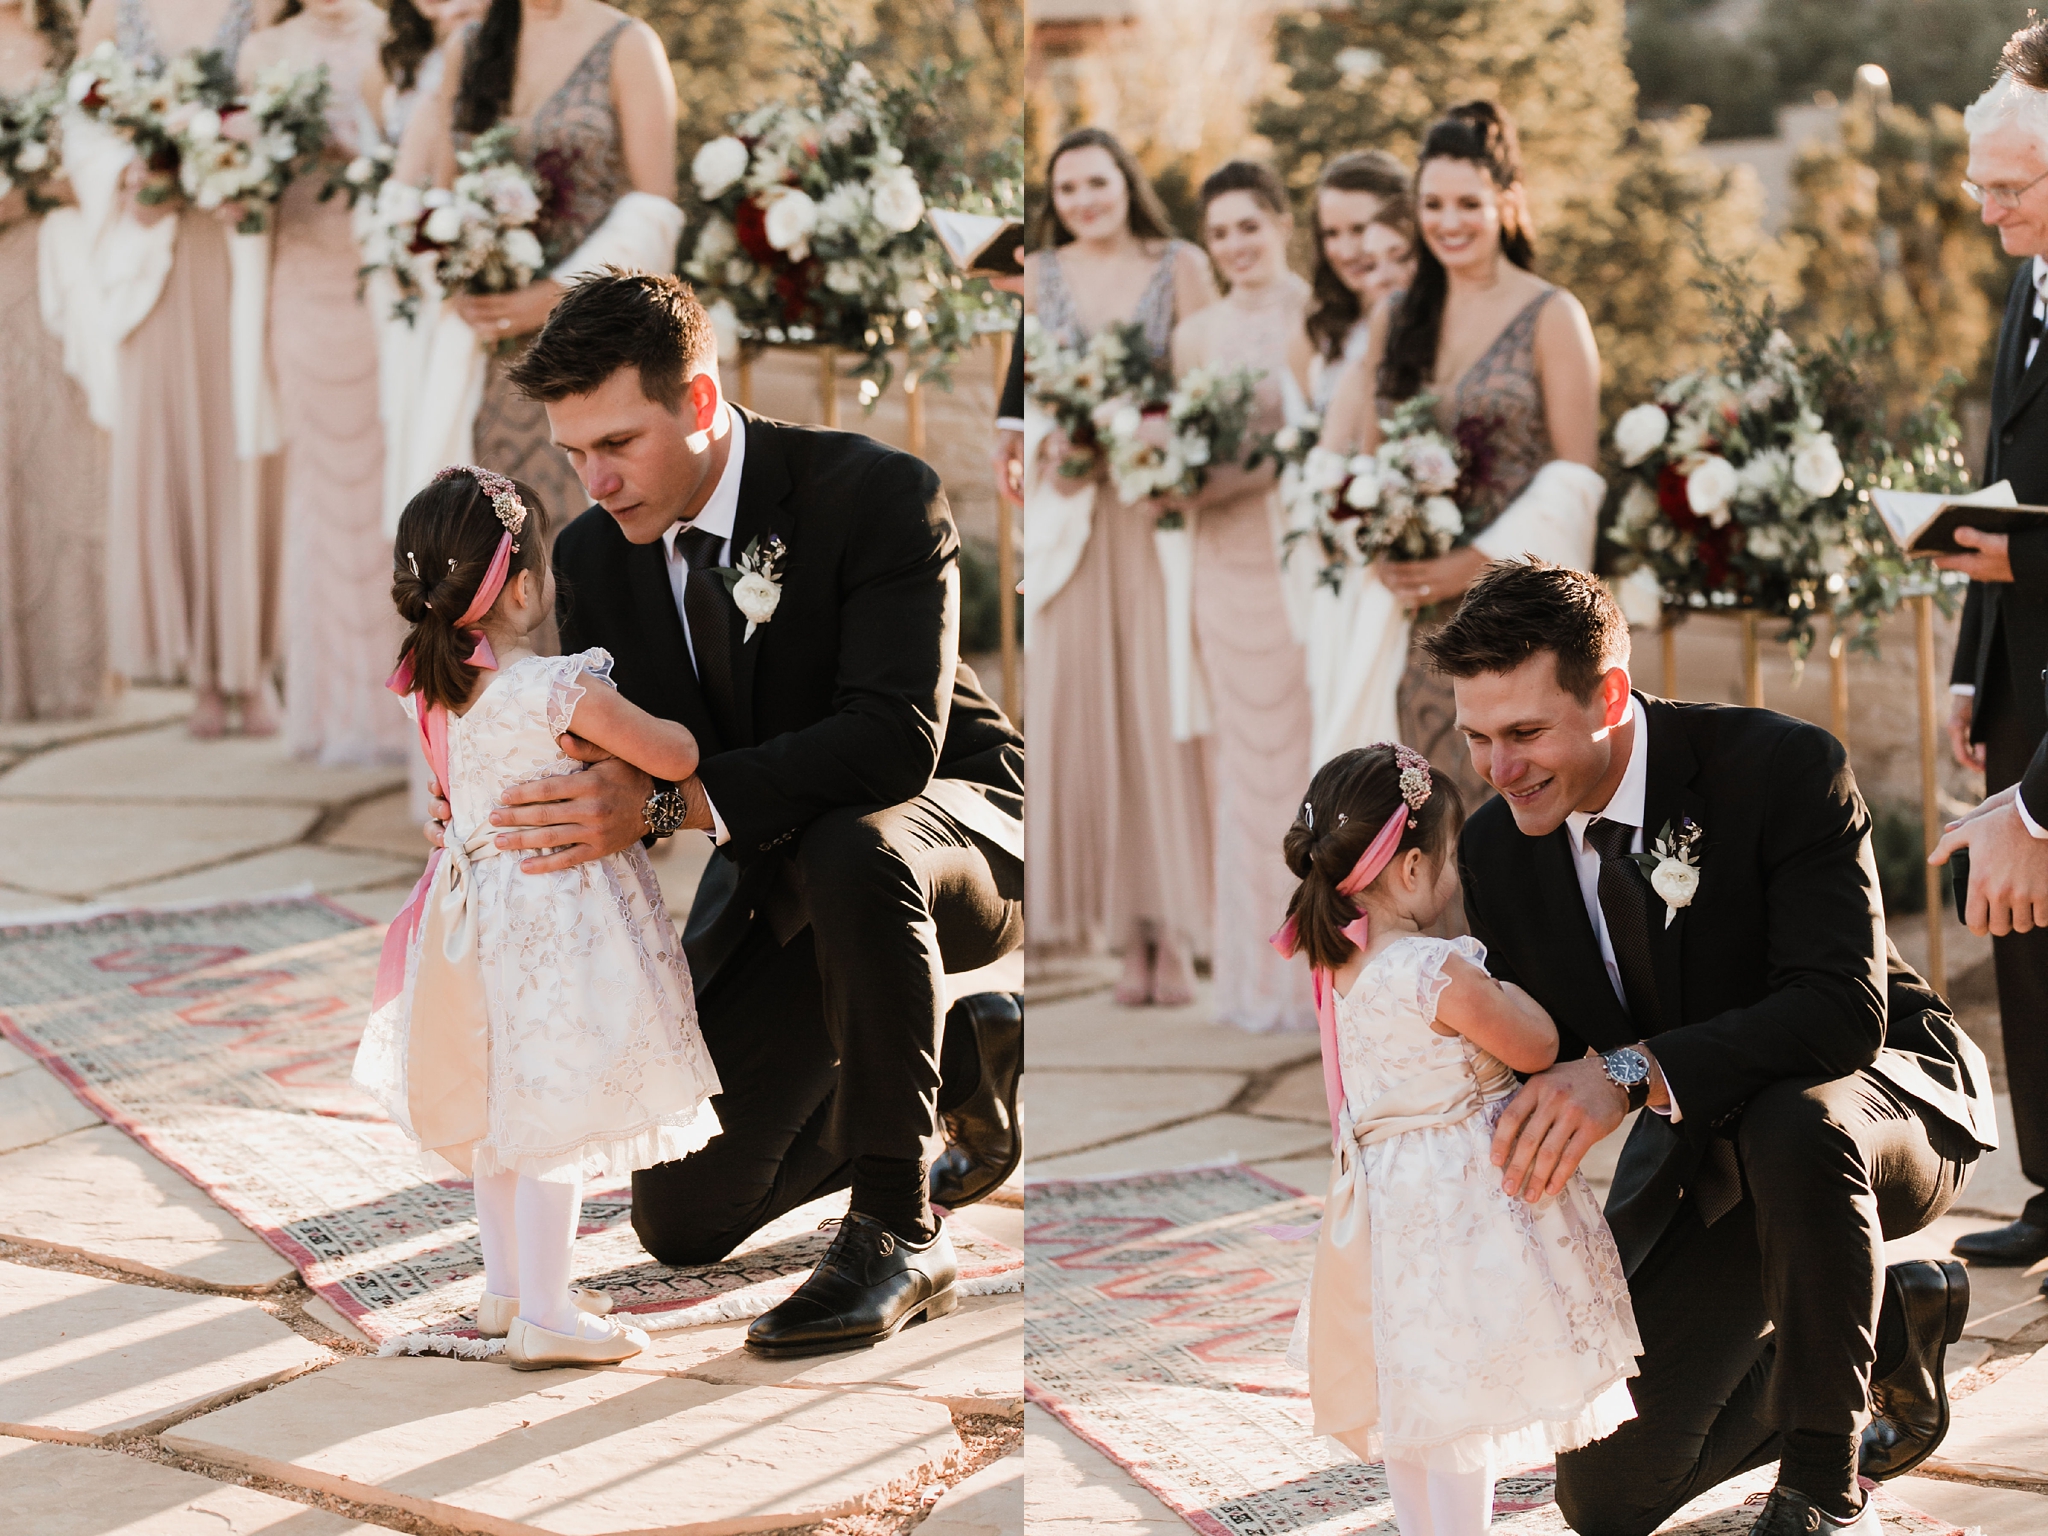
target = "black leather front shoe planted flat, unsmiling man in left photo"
x: 867, y: 1287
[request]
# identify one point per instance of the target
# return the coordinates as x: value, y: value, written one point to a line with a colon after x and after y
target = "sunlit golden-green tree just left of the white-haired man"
x: 1889, y: 247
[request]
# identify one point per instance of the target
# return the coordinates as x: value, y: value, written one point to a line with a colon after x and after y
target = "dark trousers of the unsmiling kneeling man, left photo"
x: 830, y: 1048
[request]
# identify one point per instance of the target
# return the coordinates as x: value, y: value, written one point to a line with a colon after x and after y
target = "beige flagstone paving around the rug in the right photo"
x: 1123, y: 1091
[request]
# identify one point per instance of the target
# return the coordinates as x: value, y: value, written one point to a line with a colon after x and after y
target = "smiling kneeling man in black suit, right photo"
x: 1807, y: 1093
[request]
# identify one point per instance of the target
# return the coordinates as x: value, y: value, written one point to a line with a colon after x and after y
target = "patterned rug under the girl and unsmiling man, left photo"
x: 222, y: 1041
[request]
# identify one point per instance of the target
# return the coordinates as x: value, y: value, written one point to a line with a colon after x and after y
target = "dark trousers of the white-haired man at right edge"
x: 2020, y: 959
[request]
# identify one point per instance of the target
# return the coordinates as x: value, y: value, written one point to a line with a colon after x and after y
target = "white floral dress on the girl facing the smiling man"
x: 1502, y: 1330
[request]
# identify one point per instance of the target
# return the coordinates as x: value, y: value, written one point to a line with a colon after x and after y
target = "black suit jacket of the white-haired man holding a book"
x: 1998, y: 613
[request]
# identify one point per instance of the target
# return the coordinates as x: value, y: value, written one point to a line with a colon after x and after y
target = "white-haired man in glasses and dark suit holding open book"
x: 2000, y: 716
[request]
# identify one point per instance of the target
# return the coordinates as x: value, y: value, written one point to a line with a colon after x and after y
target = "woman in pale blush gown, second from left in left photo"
x: 191, y: 538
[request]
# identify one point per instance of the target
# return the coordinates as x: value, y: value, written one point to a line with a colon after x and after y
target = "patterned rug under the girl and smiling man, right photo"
x: 1158, y: 1334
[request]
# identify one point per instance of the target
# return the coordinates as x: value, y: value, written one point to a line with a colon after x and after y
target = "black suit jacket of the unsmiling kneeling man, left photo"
x: 853, y: 695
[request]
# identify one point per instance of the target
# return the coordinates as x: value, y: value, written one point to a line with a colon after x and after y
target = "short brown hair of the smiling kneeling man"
x: 1521, y: 607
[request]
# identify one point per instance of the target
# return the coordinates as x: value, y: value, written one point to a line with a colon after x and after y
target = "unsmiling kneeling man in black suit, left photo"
x: 792, y: 595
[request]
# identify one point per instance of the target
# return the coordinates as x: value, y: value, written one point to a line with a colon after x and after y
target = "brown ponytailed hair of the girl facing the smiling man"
x: 1351, y: 800
